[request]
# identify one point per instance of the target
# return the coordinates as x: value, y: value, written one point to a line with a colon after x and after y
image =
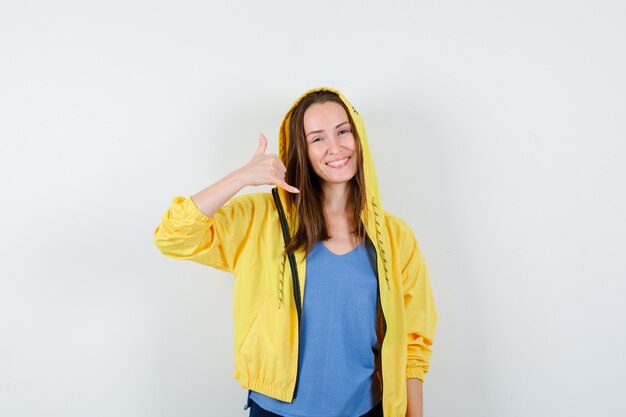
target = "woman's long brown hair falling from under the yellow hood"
x: 311, y: 224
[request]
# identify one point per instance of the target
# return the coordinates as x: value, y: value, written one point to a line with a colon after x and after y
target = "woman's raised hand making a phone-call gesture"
x: 265, y: 169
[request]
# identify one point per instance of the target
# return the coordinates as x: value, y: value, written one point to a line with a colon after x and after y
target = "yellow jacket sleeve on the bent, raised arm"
x: 187, y: 233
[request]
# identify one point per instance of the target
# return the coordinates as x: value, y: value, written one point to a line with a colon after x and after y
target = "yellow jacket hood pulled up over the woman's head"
x: 374, y: 221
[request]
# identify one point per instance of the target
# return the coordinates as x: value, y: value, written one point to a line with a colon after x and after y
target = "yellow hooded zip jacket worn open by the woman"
x: 245, y: 237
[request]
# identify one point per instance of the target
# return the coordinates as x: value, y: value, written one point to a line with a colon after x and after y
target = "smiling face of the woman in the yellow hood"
x: 330, y: 142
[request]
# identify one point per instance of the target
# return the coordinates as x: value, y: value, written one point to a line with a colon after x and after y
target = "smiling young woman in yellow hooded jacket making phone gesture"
x: 333, y: 310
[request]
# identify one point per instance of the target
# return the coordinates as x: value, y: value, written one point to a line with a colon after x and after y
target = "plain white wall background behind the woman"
x: 497, y: 129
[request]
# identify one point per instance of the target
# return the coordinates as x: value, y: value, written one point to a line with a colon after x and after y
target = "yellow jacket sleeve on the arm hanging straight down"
x: 419, y: 305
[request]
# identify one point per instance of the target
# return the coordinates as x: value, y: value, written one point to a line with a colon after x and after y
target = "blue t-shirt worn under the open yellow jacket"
x: 338, y: 341
